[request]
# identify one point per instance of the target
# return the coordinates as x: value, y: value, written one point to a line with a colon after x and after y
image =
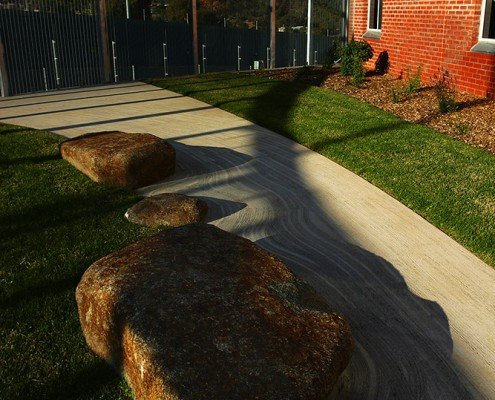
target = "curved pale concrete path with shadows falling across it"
x: 422, y: 307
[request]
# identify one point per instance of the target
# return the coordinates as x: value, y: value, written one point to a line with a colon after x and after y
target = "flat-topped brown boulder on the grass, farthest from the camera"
x: 118, y: 158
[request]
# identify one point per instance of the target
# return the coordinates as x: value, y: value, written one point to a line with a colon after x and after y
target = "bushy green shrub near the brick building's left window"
x: 353, y: 55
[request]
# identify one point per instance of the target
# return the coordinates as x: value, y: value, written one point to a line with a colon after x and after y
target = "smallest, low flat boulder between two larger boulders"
x: 168, y: 209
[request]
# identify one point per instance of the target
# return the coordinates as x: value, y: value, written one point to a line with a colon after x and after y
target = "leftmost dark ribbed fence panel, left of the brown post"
x: 45, y: 51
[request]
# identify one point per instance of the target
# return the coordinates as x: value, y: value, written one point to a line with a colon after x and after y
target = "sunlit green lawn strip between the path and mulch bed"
x: 446, y: 181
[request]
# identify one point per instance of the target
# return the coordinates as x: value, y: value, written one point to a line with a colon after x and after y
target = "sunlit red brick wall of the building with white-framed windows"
x: 431, y: 34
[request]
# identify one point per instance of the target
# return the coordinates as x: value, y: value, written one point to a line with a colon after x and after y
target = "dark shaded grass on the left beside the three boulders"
x: 54, y: 222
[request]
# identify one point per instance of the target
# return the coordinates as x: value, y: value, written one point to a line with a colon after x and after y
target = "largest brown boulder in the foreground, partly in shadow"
x: 198, y: 313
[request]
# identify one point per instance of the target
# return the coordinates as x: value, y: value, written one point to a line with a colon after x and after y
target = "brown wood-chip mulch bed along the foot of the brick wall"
x: 473, y: 122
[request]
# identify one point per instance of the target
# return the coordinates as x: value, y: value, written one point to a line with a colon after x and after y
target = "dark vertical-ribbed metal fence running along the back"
x: 50, y: 47
